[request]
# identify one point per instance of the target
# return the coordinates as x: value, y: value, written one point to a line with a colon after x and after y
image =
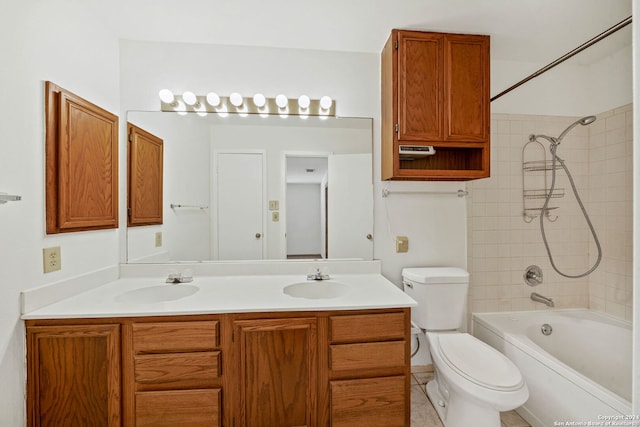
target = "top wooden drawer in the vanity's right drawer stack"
x: 367, y: 327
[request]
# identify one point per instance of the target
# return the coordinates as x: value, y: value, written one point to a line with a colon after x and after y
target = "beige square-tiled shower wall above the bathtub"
x: 503, y: 242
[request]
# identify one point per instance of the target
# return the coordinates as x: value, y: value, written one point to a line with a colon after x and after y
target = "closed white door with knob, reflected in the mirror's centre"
x: 238, y: 224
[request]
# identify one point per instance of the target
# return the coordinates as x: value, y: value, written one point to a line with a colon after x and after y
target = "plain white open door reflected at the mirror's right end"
x: 350, y: 201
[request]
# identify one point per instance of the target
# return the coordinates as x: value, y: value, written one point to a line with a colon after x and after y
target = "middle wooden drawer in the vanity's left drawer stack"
x: 178, y: 369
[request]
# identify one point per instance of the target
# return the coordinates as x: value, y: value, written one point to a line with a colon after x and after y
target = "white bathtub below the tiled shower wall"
x: 580, y: 372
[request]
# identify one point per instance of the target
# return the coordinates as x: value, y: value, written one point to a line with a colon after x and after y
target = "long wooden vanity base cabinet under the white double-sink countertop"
x: 314, y: 369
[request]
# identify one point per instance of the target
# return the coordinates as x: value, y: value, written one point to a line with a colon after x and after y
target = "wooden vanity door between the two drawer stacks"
x: 278, y: 372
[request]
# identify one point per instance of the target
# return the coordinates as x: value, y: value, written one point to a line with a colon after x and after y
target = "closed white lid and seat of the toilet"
x: 477, y: 362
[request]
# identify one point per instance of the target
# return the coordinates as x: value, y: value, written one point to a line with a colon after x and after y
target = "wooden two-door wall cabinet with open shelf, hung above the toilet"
x: 435, y: 92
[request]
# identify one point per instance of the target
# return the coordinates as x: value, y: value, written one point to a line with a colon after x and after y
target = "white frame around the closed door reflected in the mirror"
x: 213, y: 237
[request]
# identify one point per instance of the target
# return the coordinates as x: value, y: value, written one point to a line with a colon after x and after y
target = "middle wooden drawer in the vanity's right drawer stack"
x: 367, y: 355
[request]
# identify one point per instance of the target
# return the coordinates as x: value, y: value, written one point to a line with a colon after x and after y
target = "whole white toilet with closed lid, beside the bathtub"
x: 473, y: 382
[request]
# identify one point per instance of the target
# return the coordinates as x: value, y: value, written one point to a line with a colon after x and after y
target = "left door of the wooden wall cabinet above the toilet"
x: 420, y: 80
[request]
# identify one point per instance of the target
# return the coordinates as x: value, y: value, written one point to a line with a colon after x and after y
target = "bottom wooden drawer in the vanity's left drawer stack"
x: 191, y: 408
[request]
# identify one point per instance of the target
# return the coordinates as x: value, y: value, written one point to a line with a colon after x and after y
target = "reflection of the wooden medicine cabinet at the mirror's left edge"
x: 145, y: 177
